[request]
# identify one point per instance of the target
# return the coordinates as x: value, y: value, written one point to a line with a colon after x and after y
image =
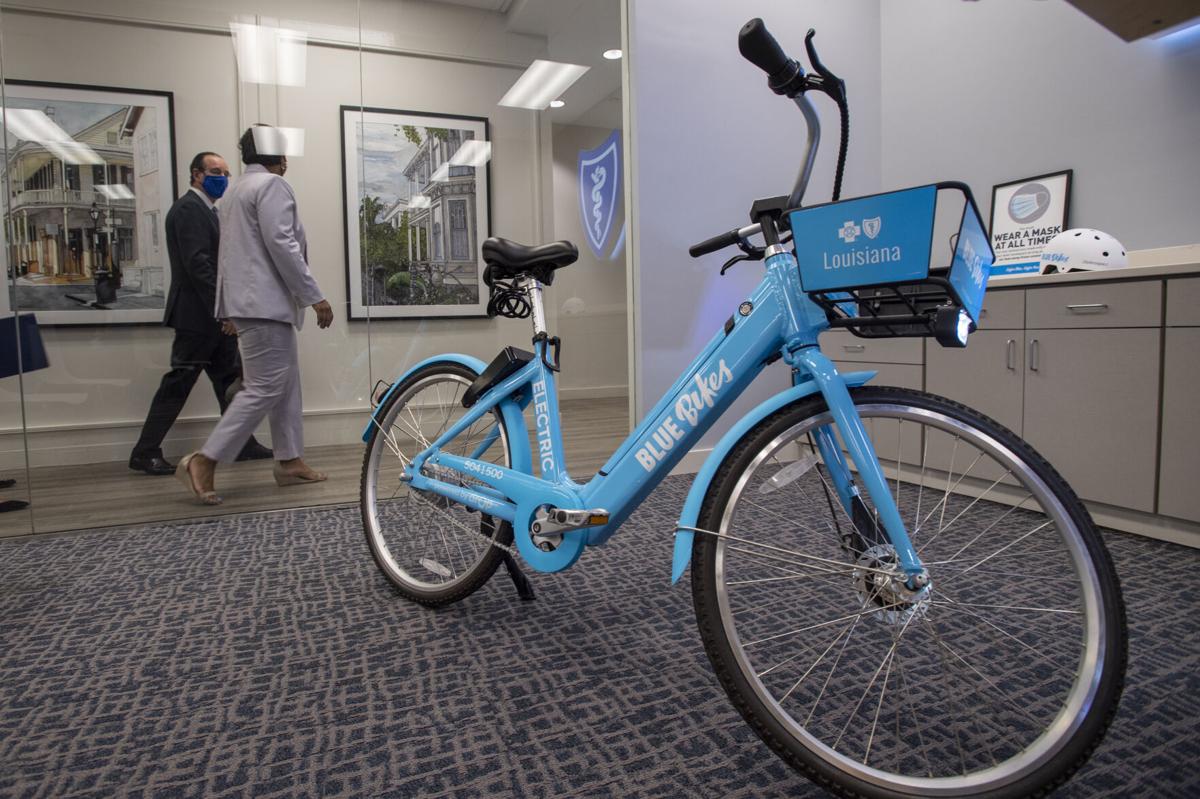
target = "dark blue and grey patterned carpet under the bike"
x: 266, y: 657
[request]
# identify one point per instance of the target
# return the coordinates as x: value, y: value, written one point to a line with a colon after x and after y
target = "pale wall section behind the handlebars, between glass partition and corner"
x: 710, y: 137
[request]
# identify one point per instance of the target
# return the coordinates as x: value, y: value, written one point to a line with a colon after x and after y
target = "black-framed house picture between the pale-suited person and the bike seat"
x: 416, y: 193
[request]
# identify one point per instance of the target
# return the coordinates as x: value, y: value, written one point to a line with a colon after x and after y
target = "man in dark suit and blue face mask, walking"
x: 202, y: 344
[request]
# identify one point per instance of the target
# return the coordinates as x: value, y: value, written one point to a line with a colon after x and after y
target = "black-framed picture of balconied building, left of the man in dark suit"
x: 91, y: 176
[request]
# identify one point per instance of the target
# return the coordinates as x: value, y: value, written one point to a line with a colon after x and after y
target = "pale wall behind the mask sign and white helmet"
x: 991, y: 93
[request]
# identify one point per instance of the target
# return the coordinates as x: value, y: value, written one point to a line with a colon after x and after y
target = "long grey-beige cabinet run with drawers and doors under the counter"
x: 1101, y: 376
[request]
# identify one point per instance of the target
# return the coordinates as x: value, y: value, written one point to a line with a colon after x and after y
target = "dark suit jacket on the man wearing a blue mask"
x: 194, y: 236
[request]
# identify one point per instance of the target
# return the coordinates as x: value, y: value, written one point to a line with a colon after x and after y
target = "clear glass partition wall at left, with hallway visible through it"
x: 403, y: 160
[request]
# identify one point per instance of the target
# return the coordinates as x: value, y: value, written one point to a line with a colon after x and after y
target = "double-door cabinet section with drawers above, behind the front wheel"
x: 1077, y: 377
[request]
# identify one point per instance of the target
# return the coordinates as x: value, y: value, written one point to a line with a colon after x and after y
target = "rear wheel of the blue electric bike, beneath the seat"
x: 433, y: 551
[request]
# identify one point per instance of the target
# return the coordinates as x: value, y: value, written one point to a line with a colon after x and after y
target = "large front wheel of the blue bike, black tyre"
x: 998, y: 681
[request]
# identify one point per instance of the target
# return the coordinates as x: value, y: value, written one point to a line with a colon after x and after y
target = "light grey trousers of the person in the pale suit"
x: 271, y: 389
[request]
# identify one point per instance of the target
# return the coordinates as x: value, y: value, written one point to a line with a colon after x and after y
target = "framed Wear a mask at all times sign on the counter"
x: 1025, y: 215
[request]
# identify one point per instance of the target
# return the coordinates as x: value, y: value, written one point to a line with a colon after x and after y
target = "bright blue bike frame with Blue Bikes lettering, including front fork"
x: 778, y: 321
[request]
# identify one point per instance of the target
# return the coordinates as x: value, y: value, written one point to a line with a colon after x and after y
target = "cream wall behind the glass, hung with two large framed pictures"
x: 89, y: 406
